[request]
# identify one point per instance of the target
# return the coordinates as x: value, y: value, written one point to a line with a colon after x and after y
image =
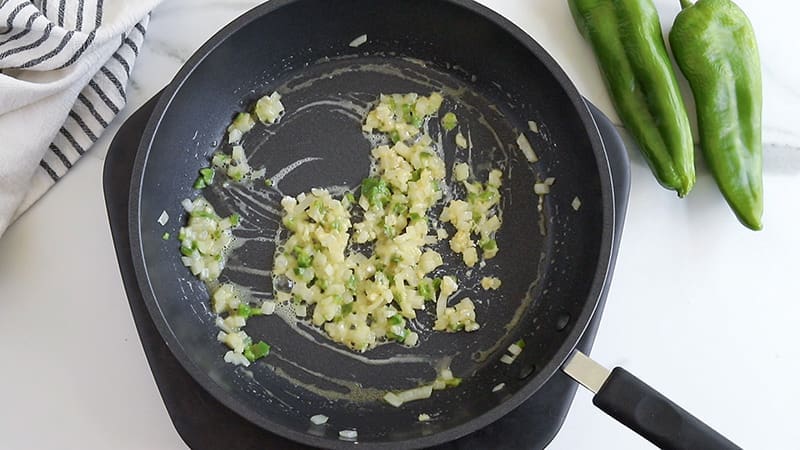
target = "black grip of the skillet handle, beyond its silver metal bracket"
x: 645, y: 411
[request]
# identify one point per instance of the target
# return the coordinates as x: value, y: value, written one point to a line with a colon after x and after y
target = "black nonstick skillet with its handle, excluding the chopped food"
x: 497, y: 79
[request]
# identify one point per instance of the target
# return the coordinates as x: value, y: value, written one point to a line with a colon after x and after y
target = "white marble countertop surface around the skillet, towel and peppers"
x: 700, y: 307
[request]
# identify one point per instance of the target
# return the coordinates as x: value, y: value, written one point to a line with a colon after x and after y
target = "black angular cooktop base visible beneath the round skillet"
x: 198, y: 417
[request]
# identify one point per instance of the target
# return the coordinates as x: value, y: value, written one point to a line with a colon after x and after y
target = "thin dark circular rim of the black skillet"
x: 599, y: 280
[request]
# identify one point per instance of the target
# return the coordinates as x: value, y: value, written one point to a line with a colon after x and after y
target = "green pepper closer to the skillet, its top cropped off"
x: 630, y: 50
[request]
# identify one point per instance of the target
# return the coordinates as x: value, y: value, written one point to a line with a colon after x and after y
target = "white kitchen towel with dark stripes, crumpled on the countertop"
x: 64, y: 67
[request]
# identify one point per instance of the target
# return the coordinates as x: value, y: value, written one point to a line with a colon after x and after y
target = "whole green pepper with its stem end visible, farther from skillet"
x: 715, y: 47
